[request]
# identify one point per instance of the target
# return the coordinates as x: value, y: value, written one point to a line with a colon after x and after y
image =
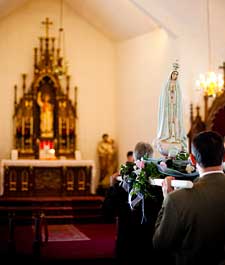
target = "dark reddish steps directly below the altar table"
x: 54, y: 208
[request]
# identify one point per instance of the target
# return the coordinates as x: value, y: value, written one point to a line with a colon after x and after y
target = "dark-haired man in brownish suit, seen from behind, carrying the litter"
x: 191, y: 222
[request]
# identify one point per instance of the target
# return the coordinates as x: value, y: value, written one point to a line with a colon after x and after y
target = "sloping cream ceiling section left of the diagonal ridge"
x: 118, y: 19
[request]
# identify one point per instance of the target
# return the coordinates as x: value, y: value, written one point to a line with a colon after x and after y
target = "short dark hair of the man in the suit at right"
x: 208, y: 148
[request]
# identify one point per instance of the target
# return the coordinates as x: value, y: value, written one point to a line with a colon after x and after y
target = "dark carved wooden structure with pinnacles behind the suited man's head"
x: 214, y: 115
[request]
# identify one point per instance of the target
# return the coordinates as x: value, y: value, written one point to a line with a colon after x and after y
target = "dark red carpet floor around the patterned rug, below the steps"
x: 100, y: 246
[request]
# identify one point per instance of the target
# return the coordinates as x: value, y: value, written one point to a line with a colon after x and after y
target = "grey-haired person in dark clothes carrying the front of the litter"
x: 133, y: 242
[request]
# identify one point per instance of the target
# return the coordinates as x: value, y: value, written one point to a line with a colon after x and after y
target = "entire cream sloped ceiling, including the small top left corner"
x: 124, y: 19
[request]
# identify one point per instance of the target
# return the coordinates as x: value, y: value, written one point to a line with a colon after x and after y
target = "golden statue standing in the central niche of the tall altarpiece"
x: 46, y: 115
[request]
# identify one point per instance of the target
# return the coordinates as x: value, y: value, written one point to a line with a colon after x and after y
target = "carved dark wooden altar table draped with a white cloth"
x: 47, y: 177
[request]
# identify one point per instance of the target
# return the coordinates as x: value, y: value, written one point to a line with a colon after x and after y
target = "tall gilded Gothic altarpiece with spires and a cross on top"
x: 45, y: 117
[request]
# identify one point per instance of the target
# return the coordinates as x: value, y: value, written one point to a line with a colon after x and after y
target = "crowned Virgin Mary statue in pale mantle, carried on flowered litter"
x: 171, y: 136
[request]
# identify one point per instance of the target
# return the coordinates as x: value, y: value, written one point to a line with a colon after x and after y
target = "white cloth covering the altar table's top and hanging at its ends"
x: 47, y: 163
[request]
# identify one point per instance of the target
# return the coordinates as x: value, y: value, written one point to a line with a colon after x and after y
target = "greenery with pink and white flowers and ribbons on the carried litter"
x: 136, y: 177
